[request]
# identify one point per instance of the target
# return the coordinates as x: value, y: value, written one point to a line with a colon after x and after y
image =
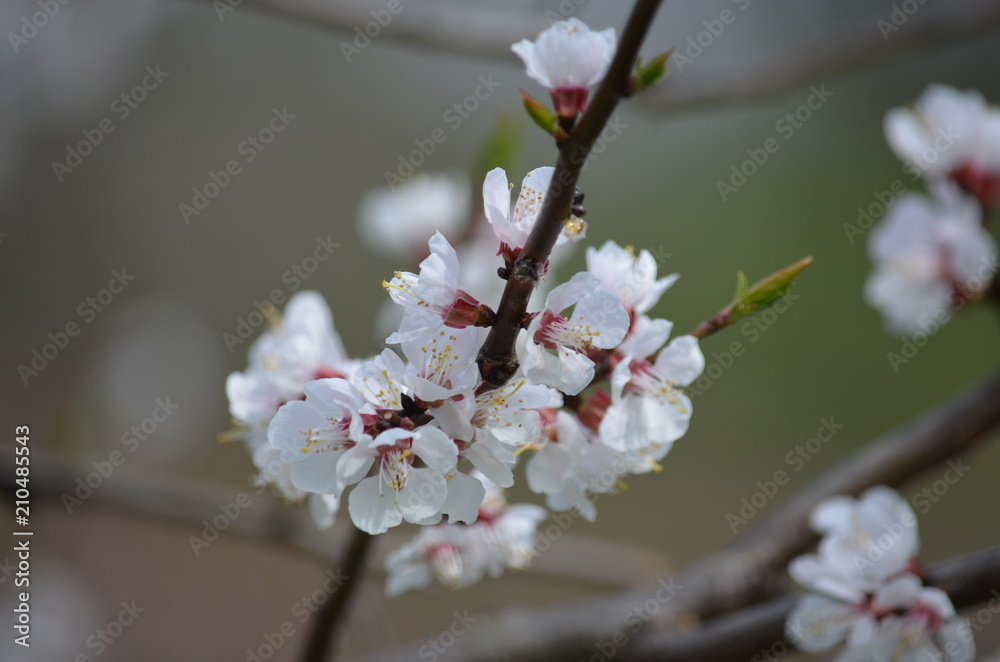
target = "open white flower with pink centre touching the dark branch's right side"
x: 598, y: 322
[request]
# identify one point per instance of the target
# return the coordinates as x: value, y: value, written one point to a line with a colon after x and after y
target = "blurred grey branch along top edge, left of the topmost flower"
x: 435, y: 26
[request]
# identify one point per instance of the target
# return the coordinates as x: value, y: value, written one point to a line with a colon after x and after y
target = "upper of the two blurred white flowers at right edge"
x: 949, y: 133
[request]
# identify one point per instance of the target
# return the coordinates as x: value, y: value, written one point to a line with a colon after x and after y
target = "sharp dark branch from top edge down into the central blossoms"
x: 498, y: 358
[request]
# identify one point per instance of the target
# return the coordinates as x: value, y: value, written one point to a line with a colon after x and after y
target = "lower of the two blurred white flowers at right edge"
x: 926, y: 252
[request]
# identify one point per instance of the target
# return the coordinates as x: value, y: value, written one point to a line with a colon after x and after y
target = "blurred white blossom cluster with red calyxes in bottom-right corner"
x: 867, y: 587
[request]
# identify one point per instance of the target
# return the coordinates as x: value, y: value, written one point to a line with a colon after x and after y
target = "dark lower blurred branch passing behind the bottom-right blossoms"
x: 968, y: 579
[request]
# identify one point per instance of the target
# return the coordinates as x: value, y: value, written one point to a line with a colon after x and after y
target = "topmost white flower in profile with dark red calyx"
x: 568, y: 58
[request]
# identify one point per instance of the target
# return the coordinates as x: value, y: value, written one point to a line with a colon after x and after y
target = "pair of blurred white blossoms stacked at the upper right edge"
x: 933, y: 254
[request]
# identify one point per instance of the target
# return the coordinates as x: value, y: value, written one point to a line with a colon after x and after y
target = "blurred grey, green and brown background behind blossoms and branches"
x: 210, y: 75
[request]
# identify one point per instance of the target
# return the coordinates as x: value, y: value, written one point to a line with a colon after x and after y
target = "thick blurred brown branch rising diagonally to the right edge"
x: 750, y: 570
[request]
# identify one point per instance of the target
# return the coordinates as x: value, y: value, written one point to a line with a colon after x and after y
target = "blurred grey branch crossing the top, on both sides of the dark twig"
x: 489, y: 33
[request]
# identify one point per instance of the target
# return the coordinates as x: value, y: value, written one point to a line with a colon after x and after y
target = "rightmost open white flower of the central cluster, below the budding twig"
x: 648, y: 406
